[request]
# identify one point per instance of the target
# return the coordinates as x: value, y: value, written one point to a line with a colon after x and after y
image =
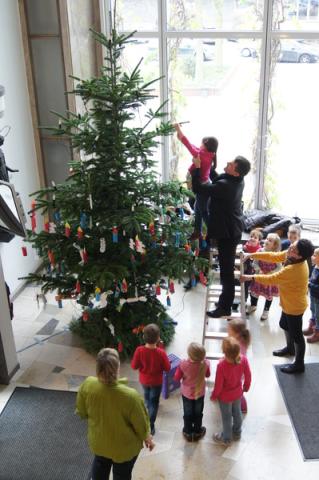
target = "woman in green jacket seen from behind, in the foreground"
x: 118, y: 423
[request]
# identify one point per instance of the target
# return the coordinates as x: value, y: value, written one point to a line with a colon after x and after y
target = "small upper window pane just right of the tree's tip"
x: 138, y: 15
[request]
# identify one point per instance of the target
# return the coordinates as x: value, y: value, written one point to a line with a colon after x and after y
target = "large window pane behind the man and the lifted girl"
x: 216, y: 88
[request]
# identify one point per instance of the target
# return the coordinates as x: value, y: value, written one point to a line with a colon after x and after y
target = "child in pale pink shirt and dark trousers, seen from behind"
x: 192, y: 373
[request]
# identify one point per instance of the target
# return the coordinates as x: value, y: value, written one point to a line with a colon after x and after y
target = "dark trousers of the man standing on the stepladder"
x: 226, y: 257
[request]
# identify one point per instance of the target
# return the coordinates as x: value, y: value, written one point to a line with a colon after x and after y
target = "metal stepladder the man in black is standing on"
x: 215, y: 329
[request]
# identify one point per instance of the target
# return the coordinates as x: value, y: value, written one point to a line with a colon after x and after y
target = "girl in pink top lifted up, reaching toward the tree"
x: 207, y: 154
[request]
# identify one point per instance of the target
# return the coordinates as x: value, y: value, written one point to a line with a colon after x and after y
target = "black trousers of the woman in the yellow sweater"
x: 292, y: 324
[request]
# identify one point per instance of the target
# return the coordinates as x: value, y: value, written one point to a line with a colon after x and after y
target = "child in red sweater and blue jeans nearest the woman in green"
x: 151, y: 361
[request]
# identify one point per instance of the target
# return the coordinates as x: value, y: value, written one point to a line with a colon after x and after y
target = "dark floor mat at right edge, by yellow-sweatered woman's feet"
x: 301, y: 396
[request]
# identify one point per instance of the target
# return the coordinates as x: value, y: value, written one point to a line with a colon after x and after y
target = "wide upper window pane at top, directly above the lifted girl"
x: 215, y: 14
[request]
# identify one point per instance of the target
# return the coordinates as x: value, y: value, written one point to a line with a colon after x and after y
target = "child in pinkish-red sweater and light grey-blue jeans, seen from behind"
x: 228, y: 390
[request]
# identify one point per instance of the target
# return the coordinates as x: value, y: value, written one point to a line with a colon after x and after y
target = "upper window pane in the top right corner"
x: 300, y: 15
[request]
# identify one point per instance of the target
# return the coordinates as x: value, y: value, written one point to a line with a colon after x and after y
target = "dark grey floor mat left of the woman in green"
x: 41, y: 438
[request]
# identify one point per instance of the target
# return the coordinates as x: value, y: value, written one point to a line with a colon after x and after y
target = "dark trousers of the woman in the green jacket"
x: 101, y: 469
